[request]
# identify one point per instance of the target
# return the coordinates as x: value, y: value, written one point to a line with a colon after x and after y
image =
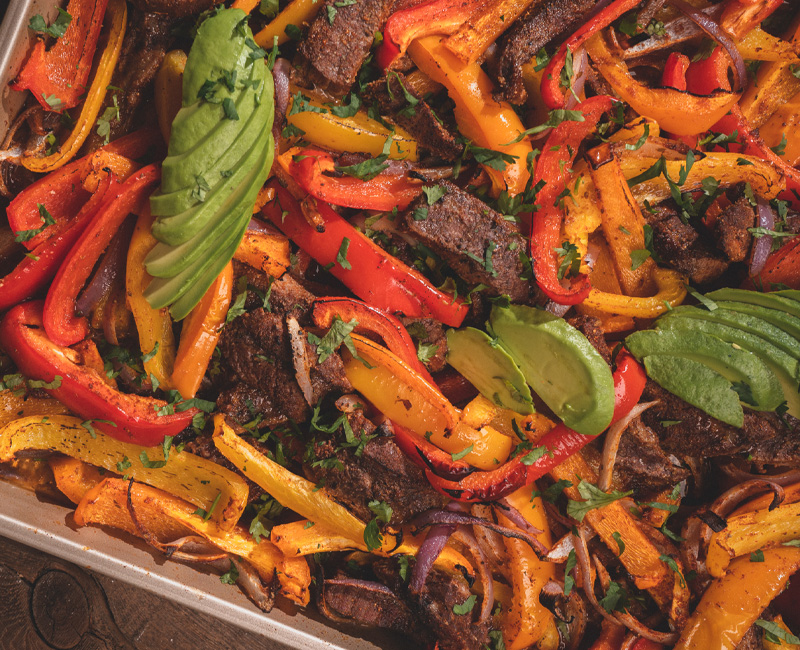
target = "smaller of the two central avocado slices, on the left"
x: 489, y: 368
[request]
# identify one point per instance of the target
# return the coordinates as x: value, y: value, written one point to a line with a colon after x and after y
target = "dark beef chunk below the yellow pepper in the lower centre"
x: 378, y: 471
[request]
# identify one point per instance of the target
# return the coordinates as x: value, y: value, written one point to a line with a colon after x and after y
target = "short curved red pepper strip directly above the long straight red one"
x: 384, y: 192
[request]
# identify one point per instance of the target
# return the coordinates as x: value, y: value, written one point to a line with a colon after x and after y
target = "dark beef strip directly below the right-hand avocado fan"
x: 694, y: 433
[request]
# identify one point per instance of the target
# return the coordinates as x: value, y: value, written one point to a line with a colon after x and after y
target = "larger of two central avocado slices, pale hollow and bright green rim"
x: 560, y: 364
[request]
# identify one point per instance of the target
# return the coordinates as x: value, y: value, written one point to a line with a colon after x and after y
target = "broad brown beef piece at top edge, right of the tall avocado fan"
x: 335, y: 49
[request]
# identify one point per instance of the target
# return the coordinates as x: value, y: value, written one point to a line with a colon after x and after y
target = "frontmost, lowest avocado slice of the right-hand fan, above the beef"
x: 697, y: 384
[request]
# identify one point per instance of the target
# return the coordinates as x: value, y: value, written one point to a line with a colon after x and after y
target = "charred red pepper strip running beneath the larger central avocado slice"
x: 561, y: 442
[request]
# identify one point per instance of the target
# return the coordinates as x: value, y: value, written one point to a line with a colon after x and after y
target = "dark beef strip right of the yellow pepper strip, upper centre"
x: 419, y: 120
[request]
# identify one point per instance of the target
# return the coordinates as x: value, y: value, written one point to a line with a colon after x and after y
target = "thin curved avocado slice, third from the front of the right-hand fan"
x: 785, y: 367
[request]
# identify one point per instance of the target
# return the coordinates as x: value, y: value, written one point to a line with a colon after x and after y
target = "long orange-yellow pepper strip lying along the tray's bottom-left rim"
x: 107, y: 504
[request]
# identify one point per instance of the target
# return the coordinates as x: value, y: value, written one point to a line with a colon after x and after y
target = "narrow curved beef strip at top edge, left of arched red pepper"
x: 543, y: 21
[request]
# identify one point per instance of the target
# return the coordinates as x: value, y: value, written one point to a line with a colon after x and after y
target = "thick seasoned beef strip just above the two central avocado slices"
x: 473, y: 239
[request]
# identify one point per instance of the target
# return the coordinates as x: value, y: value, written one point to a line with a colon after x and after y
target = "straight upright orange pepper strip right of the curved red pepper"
x: 623, y: 224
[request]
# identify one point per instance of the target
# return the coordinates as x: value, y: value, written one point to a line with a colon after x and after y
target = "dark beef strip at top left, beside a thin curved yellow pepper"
x: 143, y: 49
